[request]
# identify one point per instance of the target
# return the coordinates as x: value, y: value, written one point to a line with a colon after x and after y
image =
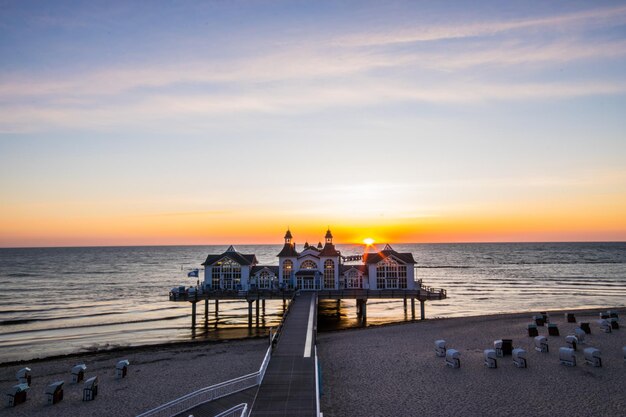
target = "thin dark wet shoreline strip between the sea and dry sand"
x: 190, y: 343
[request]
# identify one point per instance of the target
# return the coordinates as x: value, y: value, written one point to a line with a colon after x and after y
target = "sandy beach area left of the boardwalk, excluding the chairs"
x: 156, y: 375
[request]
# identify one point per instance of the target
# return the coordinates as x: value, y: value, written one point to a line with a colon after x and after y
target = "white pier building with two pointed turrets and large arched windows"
x: 320, y: 267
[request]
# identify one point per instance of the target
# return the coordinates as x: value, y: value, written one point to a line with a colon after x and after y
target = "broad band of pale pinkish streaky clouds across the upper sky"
x: 310, y: 75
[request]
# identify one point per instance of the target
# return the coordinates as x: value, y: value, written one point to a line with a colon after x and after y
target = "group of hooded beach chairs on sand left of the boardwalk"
x: 54, y: 391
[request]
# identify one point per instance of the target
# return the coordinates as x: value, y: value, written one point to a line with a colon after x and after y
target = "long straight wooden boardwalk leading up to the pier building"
x: 288, y: 388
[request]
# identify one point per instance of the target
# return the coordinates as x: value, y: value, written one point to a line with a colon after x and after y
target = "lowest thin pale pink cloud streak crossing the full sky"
x: 157, y: 108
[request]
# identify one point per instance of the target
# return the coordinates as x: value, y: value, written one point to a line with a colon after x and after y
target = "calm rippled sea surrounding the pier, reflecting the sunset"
x: 63, y: 300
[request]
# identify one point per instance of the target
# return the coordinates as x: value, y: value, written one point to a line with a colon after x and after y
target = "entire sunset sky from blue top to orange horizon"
x: 182, y: 122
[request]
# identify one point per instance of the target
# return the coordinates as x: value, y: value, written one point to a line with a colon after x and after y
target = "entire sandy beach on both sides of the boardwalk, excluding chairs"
x: 379, y: 371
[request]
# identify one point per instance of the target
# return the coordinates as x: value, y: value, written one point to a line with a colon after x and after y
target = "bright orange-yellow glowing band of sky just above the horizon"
x: 531, y: 221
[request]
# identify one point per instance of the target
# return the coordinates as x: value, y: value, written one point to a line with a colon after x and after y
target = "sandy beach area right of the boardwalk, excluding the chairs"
x: 393, y: 371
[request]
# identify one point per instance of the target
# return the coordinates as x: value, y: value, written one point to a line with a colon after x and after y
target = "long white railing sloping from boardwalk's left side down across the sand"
x: 211, y: 393
